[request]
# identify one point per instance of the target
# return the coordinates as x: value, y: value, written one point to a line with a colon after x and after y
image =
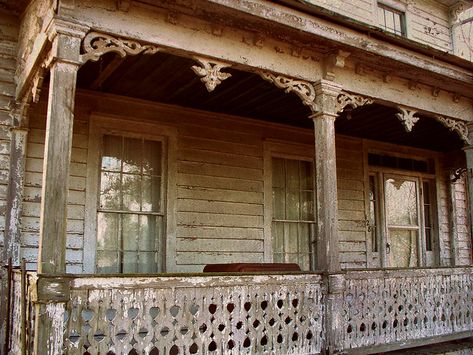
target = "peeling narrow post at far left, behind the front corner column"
x: 19, y: 132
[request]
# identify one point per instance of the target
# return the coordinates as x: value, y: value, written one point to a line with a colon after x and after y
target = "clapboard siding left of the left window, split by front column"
x: 32, y: 191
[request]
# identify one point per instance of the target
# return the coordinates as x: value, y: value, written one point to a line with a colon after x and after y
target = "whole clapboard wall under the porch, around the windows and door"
x: 220, y: 185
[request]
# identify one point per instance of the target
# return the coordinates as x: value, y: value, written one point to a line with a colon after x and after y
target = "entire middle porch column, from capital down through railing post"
x: 326, y: 210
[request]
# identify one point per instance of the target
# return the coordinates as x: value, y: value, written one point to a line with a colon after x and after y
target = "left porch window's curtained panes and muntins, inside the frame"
x: 130, y: 213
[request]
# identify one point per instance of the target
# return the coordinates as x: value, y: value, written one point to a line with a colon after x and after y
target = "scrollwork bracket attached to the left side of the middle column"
x: 303, y: 89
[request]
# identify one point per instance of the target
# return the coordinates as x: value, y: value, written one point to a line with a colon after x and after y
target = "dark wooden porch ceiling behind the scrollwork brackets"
x: 169, y: 79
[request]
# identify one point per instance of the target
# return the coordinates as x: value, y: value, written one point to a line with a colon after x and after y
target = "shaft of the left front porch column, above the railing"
x: 57, y: 153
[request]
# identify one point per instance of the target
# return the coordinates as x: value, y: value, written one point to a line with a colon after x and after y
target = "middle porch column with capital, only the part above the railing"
x: 326, y: 207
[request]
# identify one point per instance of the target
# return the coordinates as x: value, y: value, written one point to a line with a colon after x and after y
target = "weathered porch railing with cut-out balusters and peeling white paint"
x: 372, y: 310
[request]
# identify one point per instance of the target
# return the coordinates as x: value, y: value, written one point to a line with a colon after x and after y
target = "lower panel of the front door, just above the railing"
x: 403, y: 248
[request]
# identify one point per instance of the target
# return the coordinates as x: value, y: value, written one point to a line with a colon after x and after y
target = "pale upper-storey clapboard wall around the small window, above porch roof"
x: 426, y: 21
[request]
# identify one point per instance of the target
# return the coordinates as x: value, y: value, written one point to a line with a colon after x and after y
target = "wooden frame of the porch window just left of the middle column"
x: 284, y: 150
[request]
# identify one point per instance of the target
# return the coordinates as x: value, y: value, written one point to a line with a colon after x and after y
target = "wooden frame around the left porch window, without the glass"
x: 101, y: 125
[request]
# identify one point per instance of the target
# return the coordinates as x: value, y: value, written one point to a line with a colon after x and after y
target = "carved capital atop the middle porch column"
x: 326, y: 93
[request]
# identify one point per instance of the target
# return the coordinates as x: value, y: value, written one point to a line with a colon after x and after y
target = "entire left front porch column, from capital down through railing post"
x: 52, y: 290
